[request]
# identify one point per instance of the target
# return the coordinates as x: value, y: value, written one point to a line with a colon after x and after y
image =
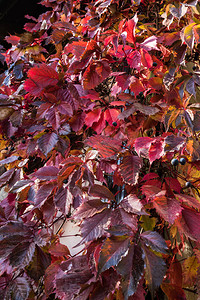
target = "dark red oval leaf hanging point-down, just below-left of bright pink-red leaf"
x: 129, y: 169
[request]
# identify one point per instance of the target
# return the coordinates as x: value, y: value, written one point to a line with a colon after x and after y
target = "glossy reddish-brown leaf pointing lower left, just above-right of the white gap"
x: 89, y: 209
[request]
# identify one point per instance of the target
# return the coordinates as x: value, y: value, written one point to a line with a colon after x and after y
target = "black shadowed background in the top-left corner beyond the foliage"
x: 12, y: 14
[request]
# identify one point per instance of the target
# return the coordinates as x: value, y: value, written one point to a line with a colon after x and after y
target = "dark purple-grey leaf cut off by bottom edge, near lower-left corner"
x: 20, y: 288
